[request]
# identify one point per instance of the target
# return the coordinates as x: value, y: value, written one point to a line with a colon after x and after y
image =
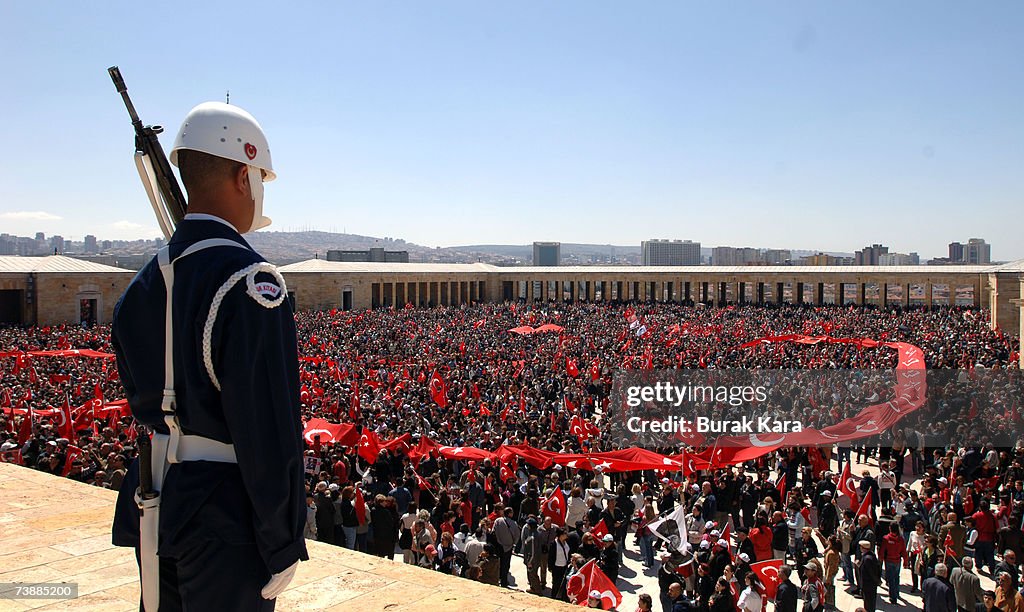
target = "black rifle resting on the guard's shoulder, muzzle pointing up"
x: 160, y: 184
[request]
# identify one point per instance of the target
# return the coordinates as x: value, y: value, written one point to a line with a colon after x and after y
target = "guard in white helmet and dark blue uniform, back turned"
x: 206, y: 349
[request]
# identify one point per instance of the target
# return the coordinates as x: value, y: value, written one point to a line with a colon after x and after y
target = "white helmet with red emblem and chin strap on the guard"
x: 230, y: 133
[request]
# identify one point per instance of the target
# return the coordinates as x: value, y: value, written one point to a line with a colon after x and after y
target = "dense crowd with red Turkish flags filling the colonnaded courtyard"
x: 945, y: 496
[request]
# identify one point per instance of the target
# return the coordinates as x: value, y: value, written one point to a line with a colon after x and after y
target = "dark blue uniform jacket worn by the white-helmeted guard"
x: 262, y: 499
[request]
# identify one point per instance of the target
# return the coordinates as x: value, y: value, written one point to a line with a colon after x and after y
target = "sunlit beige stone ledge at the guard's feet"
x: 57, y: 531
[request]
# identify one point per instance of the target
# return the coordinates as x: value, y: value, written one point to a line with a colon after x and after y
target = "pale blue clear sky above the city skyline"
x: 804, y: 125
